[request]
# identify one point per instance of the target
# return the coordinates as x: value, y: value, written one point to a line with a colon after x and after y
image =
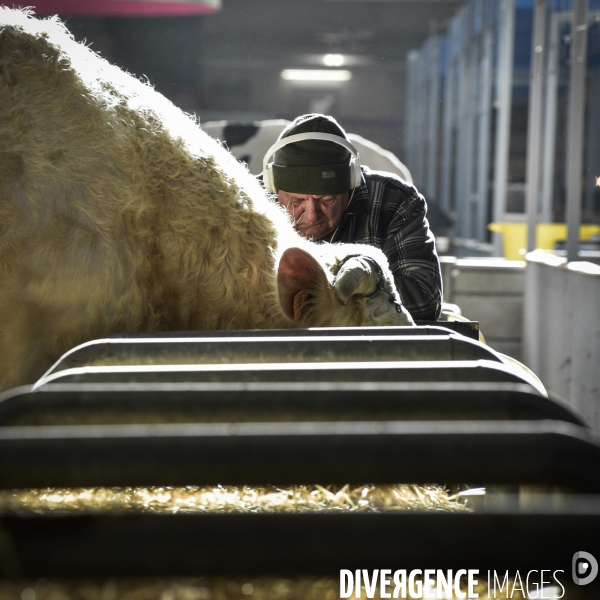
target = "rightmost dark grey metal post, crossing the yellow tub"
x: 575, y: 123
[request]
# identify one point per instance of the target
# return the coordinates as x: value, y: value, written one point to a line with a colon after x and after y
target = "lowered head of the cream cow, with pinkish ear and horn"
x: 357, y: 291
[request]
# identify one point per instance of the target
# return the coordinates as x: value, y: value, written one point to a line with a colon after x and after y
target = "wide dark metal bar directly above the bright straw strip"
x: 484, y: 452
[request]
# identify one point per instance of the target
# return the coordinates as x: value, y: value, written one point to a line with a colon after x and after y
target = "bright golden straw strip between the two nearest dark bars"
x: 225, y: 499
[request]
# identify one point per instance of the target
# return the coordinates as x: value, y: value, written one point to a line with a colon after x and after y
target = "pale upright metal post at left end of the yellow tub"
x: 504, y: 100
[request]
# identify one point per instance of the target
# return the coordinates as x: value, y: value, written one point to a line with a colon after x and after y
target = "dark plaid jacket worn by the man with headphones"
x: 390, y: 214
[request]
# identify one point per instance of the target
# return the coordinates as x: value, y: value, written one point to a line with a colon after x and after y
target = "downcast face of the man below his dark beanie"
x: 314, y: 216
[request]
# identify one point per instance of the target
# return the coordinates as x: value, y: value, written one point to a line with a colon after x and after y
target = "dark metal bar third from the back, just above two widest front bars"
x: 90, y: 404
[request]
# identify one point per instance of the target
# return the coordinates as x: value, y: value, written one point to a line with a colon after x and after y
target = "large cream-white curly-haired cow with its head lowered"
x: 117, y: 213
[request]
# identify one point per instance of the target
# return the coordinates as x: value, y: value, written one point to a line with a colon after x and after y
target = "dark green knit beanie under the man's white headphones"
x: 316, y: 167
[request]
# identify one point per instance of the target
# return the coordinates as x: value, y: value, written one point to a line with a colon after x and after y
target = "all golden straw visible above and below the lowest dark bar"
x: 165, y: 500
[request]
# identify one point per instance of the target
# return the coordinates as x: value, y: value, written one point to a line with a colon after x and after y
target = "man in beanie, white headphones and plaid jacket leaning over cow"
x: 331, y: 198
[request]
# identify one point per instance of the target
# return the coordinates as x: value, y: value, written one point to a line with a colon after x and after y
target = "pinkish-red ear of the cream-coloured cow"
x: 298, y: 276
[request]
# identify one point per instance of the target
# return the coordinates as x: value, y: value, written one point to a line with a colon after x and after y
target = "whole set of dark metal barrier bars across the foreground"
x: 452, y: 419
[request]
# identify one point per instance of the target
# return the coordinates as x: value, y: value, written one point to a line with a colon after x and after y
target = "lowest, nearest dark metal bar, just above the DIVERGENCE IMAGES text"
x: 291, y: 545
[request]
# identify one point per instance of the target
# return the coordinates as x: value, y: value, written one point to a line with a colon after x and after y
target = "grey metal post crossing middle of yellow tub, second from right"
x: 534, y: 129
